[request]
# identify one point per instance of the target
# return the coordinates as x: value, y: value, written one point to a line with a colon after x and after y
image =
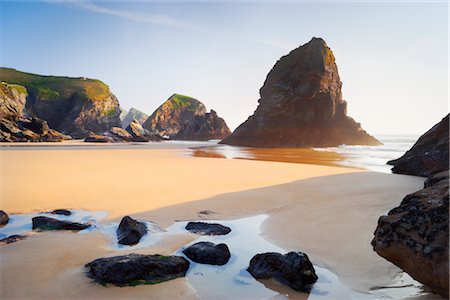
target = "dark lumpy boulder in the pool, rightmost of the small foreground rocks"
x: 292, y: 269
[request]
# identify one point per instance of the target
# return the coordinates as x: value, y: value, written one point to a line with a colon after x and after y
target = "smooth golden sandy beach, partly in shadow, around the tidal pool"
x: 328, y: 212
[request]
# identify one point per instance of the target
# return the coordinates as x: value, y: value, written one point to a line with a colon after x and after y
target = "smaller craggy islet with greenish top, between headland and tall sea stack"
x: 185, y: 118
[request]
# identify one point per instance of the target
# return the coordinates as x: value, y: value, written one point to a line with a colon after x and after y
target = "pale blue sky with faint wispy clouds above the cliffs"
x: 392, y: 56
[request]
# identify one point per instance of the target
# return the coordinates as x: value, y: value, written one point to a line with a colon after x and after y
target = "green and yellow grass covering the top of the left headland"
x: 56, y: 87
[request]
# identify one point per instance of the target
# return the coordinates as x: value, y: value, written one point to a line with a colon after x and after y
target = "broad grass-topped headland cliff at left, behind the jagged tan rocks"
x: 74, y: 106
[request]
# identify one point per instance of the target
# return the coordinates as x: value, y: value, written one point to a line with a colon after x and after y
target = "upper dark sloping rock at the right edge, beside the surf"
x: 429, y: 155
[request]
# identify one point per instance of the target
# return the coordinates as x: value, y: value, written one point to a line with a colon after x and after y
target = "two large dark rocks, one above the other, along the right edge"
x: 415, y: 234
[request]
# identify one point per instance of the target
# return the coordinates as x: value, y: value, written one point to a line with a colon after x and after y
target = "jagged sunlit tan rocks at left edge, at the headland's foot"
x: 16, y: 125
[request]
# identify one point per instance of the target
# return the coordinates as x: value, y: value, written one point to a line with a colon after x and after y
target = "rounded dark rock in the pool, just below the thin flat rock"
x: 208, y: 253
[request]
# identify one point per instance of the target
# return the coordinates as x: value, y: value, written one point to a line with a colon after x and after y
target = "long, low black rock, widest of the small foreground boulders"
x: 133, y: 269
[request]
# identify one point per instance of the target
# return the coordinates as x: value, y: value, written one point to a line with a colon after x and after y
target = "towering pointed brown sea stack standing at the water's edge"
x: 301, y: 105
